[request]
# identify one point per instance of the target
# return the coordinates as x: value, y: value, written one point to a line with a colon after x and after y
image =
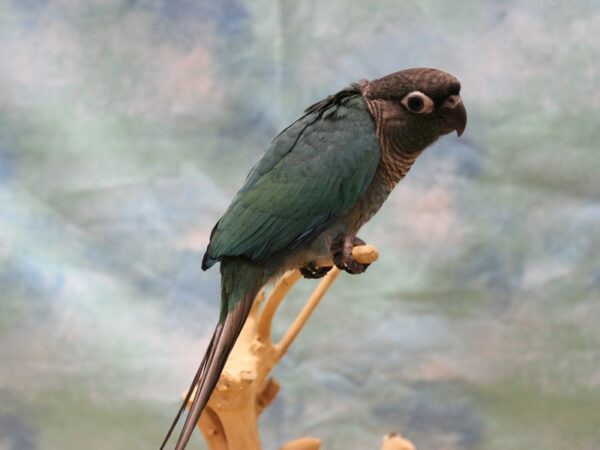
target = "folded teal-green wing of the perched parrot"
x: 314, y: 172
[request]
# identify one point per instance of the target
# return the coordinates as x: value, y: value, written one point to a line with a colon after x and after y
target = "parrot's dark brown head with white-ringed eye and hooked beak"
x: 426, y: 102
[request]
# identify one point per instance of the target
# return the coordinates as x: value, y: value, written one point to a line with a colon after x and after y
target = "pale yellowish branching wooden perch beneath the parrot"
x: 244, y: 390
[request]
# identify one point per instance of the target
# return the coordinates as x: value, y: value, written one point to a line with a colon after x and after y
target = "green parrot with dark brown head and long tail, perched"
x: 321, y: 179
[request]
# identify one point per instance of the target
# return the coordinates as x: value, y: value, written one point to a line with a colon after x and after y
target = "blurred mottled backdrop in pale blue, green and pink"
x: 127, y: 126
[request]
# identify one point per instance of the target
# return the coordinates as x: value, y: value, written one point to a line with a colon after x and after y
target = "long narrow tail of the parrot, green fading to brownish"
x: 240, y: 282
